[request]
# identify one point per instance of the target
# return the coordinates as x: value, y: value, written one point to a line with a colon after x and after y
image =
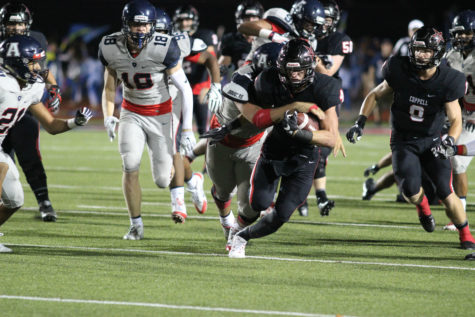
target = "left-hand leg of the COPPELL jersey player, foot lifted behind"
x: 408, y: 173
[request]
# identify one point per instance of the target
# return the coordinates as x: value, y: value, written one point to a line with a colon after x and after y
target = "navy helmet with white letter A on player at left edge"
x: 20, y: 50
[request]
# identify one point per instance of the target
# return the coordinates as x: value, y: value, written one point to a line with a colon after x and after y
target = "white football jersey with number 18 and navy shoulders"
x: 143, y: 77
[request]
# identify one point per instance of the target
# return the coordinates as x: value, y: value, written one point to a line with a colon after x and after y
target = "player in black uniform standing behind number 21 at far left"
x: 23, y: 139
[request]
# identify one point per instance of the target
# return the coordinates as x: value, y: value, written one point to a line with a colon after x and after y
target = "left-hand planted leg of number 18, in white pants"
x: 131, y: 145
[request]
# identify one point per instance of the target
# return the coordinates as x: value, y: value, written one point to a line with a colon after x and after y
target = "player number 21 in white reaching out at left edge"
x: 22, y: 85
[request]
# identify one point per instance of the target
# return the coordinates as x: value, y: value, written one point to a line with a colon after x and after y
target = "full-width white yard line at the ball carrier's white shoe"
x: 410, y: 265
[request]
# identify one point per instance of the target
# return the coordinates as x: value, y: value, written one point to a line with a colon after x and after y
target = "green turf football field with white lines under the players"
x: 365, y: 259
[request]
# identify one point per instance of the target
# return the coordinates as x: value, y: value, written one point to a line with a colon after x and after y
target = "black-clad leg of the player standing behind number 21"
x: 24, y: 139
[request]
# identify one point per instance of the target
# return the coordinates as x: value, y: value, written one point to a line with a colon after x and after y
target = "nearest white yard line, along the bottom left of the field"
x: 158, y: 305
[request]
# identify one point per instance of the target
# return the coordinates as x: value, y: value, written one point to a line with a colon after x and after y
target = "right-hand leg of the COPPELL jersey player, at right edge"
x: 440, y: 173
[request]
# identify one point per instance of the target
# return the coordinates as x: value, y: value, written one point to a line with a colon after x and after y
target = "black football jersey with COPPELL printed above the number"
x: 418, y: 109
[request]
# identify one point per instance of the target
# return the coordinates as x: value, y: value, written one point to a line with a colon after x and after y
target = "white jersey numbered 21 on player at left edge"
x: 14, y: 101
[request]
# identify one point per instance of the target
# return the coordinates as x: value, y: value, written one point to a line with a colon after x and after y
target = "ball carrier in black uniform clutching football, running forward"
x: 288, y: 155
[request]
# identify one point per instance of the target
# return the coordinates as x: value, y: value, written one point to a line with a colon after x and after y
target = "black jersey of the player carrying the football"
x: 269, y: 92
